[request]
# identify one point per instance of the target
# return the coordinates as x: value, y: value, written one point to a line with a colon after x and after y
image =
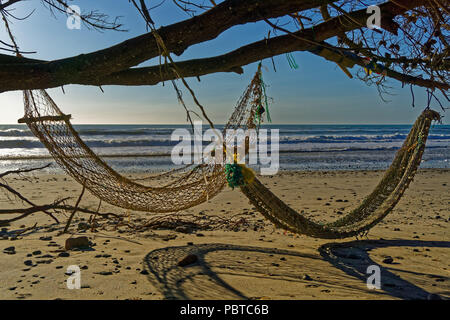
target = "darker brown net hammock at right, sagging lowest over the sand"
x: 371, y: 211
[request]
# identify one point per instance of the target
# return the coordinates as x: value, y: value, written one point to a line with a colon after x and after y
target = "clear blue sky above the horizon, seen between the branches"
x: 317, y: 92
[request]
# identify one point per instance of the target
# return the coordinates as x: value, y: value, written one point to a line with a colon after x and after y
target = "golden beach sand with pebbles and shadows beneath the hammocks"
x: 240, y: 263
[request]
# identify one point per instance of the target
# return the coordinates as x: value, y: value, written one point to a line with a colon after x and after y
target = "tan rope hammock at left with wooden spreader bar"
x: 184, y: 188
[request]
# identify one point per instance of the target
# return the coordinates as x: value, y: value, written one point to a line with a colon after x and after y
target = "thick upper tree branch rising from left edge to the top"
x: 177, y: 38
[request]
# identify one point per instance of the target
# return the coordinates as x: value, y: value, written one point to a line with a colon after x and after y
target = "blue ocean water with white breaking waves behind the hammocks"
x: 147, y: 148
